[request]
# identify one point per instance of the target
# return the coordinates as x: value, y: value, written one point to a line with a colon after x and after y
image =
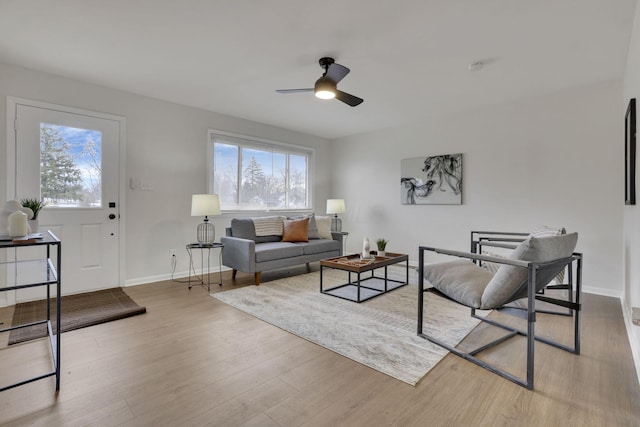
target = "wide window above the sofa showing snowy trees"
x: 259, y: 175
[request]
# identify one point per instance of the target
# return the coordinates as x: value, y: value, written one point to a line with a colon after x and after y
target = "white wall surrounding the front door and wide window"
x: 166, y: 147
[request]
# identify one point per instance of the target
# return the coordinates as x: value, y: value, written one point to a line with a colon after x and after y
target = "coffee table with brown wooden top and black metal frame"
x: 356, y: 291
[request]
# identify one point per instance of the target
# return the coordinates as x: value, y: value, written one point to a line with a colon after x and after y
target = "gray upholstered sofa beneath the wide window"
x: 247, y: 252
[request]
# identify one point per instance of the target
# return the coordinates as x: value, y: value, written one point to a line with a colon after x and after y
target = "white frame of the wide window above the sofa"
x: 245, y: 141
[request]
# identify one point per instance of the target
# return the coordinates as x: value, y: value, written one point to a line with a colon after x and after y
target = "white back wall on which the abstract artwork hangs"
x: 549, y: 160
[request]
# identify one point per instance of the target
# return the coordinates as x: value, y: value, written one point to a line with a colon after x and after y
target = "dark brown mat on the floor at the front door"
x: 77, y: 311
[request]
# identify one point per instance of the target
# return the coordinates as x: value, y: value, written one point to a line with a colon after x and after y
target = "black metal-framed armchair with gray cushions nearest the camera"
x: 525, y: 273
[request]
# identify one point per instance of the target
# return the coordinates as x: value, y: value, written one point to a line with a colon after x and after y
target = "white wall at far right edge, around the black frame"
x: 631, y: 222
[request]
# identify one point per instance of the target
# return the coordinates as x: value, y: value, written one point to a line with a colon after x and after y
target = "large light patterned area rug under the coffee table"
x: 379, y: 333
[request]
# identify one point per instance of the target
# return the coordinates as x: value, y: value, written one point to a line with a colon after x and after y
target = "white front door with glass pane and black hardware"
x: 71, y: 161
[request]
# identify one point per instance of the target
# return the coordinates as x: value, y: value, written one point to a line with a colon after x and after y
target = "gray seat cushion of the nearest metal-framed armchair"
x: 461, y: 280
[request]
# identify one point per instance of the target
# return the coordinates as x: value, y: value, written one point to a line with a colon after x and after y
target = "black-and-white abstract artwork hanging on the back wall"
x: 433, y: 180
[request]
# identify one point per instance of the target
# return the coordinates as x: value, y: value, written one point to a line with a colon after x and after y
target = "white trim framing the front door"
x: 12, y: 103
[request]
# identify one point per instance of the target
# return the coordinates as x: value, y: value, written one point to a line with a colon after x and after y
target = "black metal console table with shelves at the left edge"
x: 44, y: 272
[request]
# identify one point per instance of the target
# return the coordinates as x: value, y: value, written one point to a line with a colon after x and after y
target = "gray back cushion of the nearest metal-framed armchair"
x: 509, y: 282
